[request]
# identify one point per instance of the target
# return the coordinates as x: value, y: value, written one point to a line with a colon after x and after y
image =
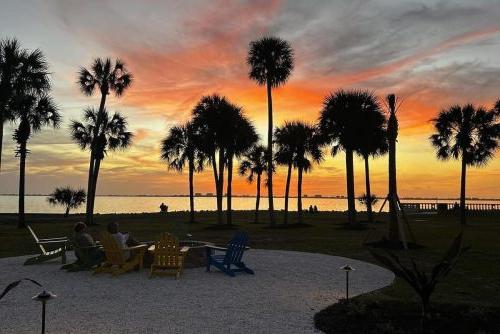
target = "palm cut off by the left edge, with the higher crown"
x: 20, y: 71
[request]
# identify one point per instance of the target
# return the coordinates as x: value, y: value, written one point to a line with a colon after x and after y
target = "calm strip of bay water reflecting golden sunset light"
x: 118, y: 204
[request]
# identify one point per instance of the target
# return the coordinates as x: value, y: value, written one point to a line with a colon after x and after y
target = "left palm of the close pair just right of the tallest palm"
x: 284, y: 138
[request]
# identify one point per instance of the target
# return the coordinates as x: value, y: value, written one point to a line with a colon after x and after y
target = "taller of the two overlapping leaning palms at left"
x: 106, y: 77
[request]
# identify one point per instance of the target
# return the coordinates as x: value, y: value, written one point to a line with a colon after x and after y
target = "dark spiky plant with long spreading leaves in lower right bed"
x: 421, y: 281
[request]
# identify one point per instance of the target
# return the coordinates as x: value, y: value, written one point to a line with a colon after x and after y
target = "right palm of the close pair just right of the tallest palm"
x: 307, y: 150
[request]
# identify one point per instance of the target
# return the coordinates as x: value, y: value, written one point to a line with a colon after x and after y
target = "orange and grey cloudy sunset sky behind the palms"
x: 430, y: 53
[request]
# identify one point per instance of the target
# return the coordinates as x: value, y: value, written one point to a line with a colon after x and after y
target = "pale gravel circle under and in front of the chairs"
x: 288, y: 288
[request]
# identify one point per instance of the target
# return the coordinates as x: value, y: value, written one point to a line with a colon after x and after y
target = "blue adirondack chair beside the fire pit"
x: 232, y: 256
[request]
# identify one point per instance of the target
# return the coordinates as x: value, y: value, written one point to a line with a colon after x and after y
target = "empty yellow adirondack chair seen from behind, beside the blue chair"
x: 169, y: 256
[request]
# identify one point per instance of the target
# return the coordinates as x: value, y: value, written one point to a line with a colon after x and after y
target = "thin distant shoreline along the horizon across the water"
x: 304, y: 197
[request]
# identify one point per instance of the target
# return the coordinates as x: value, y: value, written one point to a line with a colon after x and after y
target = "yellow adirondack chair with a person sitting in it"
x: 116, y: 260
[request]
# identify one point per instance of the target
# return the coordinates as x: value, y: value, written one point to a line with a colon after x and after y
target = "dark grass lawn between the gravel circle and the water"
x: 476, y: 279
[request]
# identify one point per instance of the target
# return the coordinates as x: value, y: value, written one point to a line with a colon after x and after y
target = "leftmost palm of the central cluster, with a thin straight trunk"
x: 181, y: 146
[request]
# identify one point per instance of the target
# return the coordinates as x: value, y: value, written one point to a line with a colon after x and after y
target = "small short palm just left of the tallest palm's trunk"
x: 254, y: 164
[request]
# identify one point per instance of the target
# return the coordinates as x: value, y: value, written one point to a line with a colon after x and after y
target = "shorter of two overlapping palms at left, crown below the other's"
x: 100, y: 133
